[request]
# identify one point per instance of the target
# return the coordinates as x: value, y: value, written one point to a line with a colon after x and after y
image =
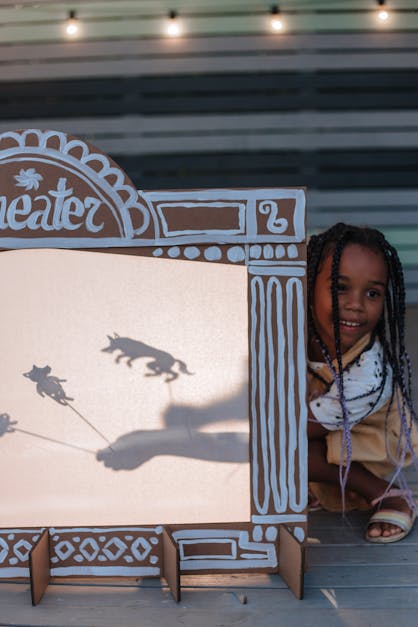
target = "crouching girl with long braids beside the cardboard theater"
x: 362, y: 425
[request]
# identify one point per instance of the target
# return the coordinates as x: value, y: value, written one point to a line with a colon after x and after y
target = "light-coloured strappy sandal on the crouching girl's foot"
x: 392, y: 516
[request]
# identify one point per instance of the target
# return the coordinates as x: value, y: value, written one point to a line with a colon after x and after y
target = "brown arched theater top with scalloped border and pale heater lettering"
x: 55, y: 184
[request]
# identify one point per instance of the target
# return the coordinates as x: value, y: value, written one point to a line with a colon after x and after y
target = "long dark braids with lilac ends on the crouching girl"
x: 390, y: 330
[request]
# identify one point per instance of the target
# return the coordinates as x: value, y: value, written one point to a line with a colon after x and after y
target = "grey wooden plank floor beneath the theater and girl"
x: 349, y: 583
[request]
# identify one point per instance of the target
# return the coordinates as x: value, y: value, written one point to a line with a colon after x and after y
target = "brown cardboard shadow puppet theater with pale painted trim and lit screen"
x: 152, y: 417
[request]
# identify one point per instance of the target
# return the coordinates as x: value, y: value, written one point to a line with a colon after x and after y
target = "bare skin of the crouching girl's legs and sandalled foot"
x: 359, y: 479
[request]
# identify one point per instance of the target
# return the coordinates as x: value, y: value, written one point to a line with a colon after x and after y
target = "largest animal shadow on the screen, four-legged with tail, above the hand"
x: 162, y: 362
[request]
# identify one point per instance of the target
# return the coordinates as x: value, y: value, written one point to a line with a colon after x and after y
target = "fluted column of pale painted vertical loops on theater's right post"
x: 272, y: 322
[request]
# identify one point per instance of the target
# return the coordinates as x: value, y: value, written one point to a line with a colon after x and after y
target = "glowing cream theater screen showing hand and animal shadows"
x: 124, y: 390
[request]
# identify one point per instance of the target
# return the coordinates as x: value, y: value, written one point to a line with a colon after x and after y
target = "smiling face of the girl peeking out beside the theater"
x: 361, y: 296
